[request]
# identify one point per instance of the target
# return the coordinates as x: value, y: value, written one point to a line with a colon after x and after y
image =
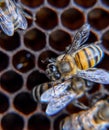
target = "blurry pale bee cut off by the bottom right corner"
x: 96, y: 118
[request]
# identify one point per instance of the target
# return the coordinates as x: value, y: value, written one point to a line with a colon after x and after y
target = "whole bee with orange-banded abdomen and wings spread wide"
x: 78, y: 61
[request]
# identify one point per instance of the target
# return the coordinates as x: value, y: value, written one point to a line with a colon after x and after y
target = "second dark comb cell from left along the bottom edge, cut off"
x: 38, y: 122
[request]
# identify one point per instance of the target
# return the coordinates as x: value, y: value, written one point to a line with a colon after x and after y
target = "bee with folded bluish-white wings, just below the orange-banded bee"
x: 63, y: 93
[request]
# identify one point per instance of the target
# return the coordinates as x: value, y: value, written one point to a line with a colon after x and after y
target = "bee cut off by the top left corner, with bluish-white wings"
x: 11, y: 17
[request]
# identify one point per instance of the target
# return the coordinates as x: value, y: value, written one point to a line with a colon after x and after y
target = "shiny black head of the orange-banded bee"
x: 53, y: 72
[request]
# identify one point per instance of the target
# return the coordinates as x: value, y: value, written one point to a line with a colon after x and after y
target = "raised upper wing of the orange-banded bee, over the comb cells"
x: 80, y: 38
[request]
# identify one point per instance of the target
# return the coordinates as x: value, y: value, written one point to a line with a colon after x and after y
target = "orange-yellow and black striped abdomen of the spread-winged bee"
x: 88, y: 56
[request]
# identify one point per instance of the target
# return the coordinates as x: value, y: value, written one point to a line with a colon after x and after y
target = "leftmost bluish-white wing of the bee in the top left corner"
x: 6, y: 24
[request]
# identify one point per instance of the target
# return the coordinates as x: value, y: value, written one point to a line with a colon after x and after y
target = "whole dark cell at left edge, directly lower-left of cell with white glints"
x: 11, y: 81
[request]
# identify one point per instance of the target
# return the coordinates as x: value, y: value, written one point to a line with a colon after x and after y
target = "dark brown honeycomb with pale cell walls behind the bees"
x: 21, y: 56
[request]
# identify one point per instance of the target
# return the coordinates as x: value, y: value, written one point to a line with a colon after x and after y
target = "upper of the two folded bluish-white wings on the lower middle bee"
x: 55, y: 91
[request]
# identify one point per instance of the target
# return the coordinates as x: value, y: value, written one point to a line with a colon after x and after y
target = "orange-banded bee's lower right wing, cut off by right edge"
x: 96, y: 75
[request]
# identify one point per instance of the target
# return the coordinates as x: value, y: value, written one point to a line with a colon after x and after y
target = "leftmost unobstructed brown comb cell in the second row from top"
x: 46, y: 18
